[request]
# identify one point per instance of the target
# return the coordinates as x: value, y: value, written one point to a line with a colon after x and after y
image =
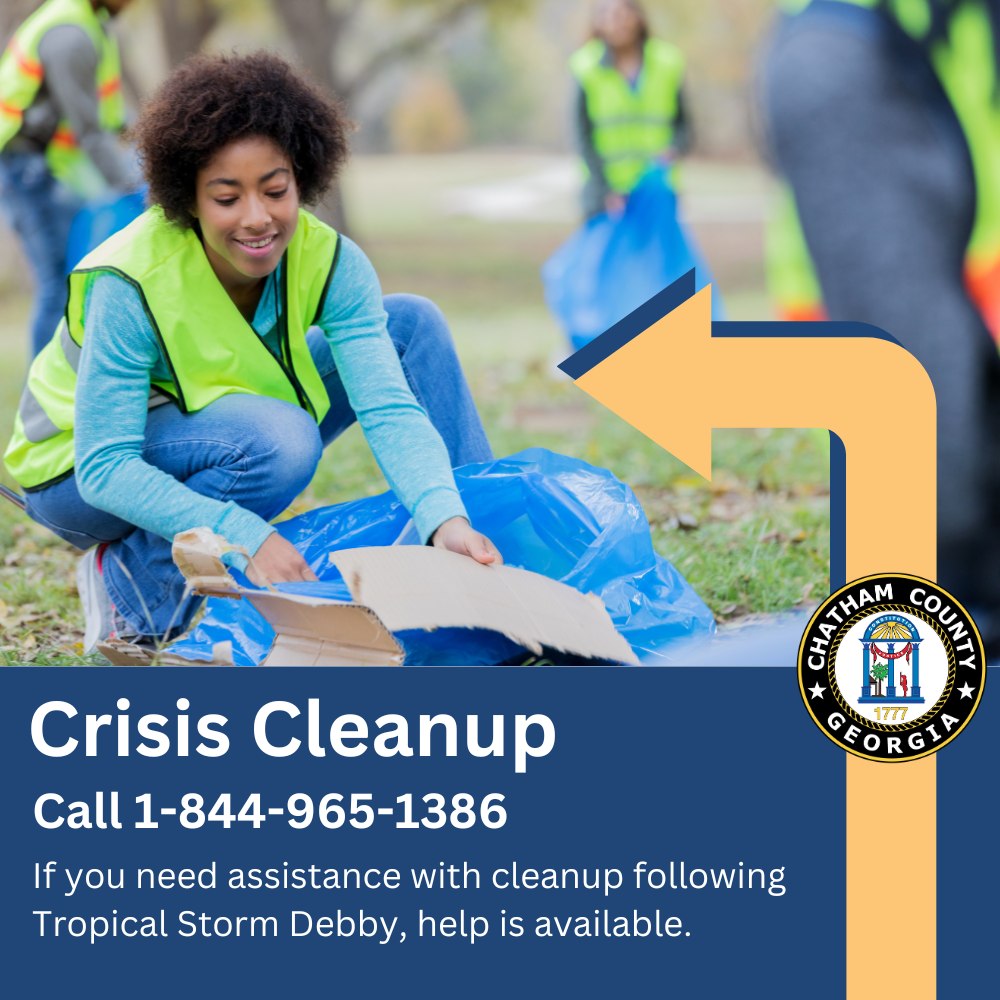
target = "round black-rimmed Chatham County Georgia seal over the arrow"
x: 891, y: 667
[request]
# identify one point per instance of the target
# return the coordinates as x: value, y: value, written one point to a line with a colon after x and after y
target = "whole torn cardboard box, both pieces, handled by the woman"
x: 398, y: 588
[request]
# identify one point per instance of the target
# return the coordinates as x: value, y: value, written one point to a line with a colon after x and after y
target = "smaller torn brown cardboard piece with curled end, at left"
x: 309, y: 631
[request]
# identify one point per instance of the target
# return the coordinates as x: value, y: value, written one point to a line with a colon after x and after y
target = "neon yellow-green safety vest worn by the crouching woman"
x: 210, y: 348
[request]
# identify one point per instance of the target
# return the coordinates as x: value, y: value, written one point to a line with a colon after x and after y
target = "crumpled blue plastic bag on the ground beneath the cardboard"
x: 546, y: 512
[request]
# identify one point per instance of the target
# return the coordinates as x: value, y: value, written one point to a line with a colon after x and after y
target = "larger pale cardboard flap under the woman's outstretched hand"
x: 420, y: 587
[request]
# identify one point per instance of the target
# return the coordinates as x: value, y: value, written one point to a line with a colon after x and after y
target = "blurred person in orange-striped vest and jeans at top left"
x: 61, y: 110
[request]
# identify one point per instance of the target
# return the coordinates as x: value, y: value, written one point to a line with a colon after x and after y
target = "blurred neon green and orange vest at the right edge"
x: 966, y: 65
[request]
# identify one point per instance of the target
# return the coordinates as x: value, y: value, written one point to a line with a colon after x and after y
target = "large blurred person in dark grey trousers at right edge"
x: 884, y: 117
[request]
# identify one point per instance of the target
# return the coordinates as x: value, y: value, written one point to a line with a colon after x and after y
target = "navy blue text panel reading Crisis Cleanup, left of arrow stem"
x: 675, y: 831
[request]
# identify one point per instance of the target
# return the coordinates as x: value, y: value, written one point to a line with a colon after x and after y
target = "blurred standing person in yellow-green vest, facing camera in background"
x: 629, y: 105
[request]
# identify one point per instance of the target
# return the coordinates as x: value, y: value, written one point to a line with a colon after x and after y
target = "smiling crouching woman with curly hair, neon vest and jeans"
x: 212, y: 349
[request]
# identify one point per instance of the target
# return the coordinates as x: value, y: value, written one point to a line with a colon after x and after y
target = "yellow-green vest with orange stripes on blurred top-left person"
x: 22, y: 75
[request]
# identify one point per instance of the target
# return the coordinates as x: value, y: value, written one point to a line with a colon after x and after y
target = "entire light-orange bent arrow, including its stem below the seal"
x: 674, y: 381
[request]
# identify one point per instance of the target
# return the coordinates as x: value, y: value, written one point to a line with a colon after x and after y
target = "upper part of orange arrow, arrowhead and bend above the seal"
x: 675, y: 382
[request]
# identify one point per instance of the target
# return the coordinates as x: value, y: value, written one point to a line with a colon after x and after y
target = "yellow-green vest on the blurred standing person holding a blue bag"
x: 630, y: 126
